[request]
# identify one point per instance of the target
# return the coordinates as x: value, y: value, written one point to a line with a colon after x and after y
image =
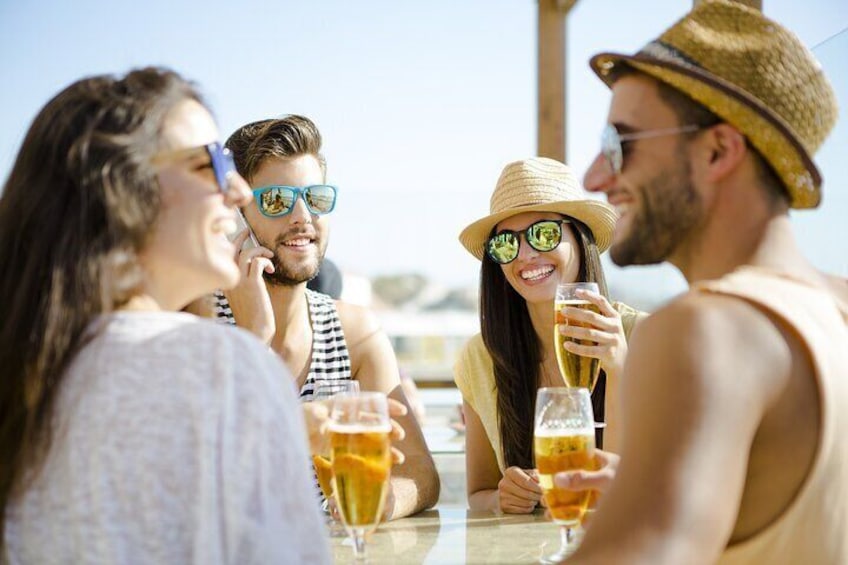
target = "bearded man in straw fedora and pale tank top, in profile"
x: 711, y: 133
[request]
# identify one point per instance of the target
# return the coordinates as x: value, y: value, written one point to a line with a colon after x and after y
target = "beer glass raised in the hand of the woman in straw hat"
x: 577, y: 370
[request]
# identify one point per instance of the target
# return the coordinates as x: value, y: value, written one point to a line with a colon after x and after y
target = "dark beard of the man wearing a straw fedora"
x: 670, y: 209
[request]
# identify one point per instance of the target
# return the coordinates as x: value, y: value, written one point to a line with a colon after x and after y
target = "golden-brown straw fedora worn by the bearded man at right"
x: 754, y: 74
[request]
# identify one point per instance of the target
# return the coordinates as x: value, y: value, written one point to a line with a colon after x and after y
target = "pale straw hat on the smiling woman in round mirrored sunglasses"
x: 539, y: 184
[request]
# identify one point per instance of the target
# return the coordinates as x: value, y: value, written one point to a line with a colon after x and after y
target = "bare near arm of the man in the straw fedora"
x: 699, y: 377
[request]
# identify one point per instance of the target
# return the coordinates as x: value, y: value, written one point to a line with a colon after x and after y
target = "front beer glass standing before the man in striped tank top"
x: 361, y: 460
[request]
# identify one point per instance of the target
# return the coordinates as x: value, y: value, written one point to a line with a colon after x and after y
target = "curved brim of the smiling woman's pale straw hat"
x: 598, y: 216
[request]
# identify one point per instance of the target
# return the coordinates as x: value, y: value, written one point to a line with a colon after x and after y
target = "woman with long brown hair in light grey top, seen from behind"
x: 130, y: 431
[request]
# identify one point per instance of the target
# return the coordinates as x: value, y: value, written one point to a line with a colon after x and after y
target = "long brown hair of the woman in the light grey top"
x: 76, y: 209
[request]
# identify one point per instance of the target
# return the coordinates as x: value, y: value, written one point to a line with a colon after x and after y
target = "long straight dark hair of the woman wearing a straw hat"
x: 515, y: 350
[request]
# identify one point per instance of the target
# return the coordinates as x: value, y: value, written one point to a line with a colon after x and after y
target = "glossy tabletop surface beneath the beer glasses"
x: 457, y: 535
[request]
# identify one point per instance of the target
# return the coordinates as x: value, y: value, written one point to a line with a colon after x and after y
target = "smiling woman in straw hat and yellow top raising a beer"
x: 500, y: 370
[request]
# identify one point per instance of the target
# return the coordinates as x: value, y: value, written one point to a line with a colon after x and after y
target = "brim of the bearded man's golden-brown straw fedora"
x: 764, y: 129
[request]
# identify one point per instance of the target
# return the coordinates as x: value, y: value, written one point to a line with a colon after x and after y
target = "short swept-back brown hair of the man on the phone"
x: 290, y: 136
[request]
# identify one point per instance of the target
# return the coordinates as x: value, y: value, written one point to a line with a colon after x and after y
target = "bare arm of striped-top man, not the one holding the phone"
x: 415, y: 482
